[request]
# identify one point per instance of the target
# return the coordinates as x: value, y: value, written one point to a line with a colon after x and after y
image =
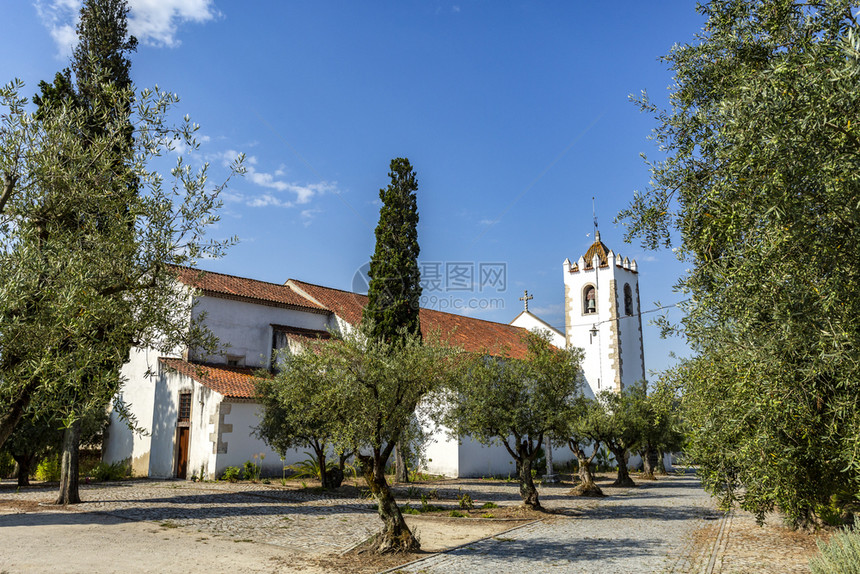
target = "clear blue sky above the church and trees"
x: 514, y: 115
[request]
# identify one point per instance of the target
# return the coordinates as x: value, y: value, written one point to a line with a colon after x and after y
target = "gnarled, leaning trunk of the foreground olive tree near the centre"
x: 395, y: 535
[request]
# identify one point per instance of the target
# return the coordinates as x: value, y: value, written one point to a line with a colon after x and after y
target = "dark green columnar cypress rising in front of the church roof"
x: 394, y: 291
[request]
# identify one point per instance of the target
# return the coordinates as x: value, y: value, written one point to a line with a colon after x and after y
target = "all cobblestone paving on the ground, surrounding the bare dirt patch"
x: 670, y: 525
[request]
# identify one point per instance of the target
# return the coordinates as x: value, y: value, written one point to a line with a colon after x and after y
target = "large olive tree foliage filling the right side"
x: 760, y: 192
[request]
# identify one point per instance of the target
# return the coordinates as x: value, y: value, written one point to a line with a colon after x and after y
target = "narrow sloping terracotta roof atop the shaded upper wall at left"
x: 242, y: 289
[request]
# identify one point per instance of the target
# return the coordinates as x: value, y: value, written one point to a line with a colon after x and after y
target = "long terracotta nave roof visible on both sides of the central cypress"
x: 467, y: 332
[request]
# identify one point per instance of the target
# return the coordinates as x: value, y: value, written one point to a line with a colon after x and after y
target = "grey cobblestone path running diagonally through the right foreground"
x: 649, y: 529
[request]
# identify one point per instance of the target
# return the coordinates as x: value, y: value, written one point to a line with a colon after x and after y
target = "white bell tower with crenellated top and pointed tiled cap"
x: 602, y: 316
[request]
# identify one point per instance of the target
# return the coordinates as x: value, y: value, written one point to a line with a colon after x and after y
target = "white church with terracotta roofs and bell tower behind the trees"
x: 199, y: 411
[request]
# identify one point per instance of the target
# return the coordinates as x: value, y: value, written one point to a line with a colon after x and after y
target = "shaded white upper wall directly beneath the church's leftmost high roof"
x: 244, y: 329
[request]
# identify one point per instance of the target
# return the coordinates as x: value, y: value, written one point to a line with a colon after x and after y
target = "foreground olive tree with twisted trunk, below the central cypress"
x: 362, y: 393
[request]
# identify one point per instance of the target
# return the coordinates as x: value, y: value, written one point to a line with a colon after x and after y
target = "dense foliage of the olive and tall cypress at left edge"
x: 88, y: 233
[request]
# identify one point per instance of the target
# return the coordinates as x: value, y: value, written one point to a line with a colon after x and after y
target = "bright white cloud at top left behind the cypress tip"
x: 152, y: 22
